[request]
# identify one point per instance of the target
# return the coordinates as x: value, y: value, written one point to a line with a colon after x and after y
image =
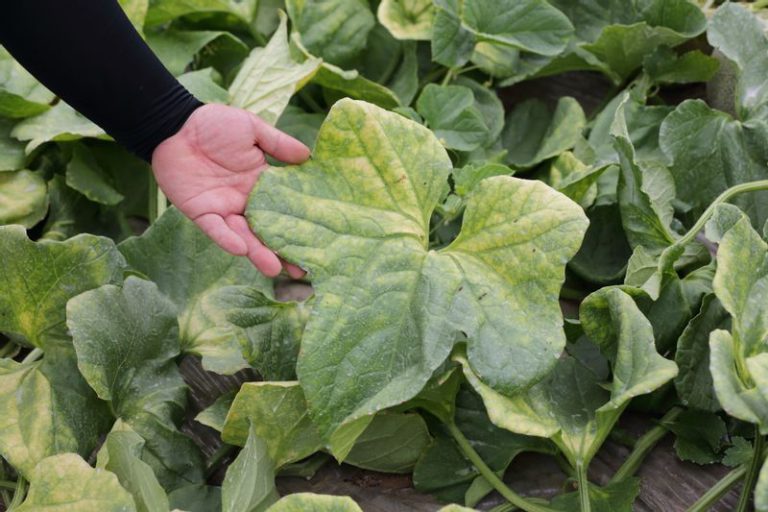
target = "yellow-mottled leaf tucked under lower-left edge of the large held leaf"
x: 278, y: 413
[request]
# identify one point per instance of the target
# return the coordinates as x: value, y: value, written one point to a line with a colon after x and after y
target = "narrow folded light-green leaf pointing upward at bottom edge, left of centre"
x: 249, y: 485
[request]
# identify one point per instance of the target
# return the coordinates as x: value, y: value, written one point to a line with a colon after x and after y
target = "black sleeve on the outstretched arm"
x: 88, y: 53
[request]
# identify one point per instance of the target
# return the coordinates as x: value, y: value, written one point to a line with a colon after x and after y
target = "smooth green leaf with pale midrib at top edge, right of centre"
x: 530, y: 25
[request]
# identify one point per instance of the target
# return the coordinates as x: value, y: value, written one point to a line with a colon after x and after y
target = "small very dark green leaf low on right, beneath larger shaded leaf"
x: 699, y: 436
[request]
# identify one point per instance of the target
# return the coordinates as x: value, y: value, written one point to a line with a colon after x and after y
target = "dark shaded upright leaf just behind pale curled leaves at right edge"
x: 694, y: 383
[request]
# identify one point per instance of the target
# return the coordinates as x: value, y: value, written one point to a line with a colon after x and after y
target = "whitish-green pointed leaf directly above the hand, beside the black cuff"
x: 269, y: 77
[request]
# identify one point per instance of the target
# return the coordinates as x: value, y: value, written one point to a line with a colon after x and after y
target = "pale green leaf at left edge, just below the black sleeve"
x: 20, y: 94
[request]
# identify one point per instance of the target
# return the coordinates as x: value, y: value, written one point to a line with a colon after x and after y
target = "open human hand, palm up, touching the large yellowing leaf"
x: 210, y: 166
